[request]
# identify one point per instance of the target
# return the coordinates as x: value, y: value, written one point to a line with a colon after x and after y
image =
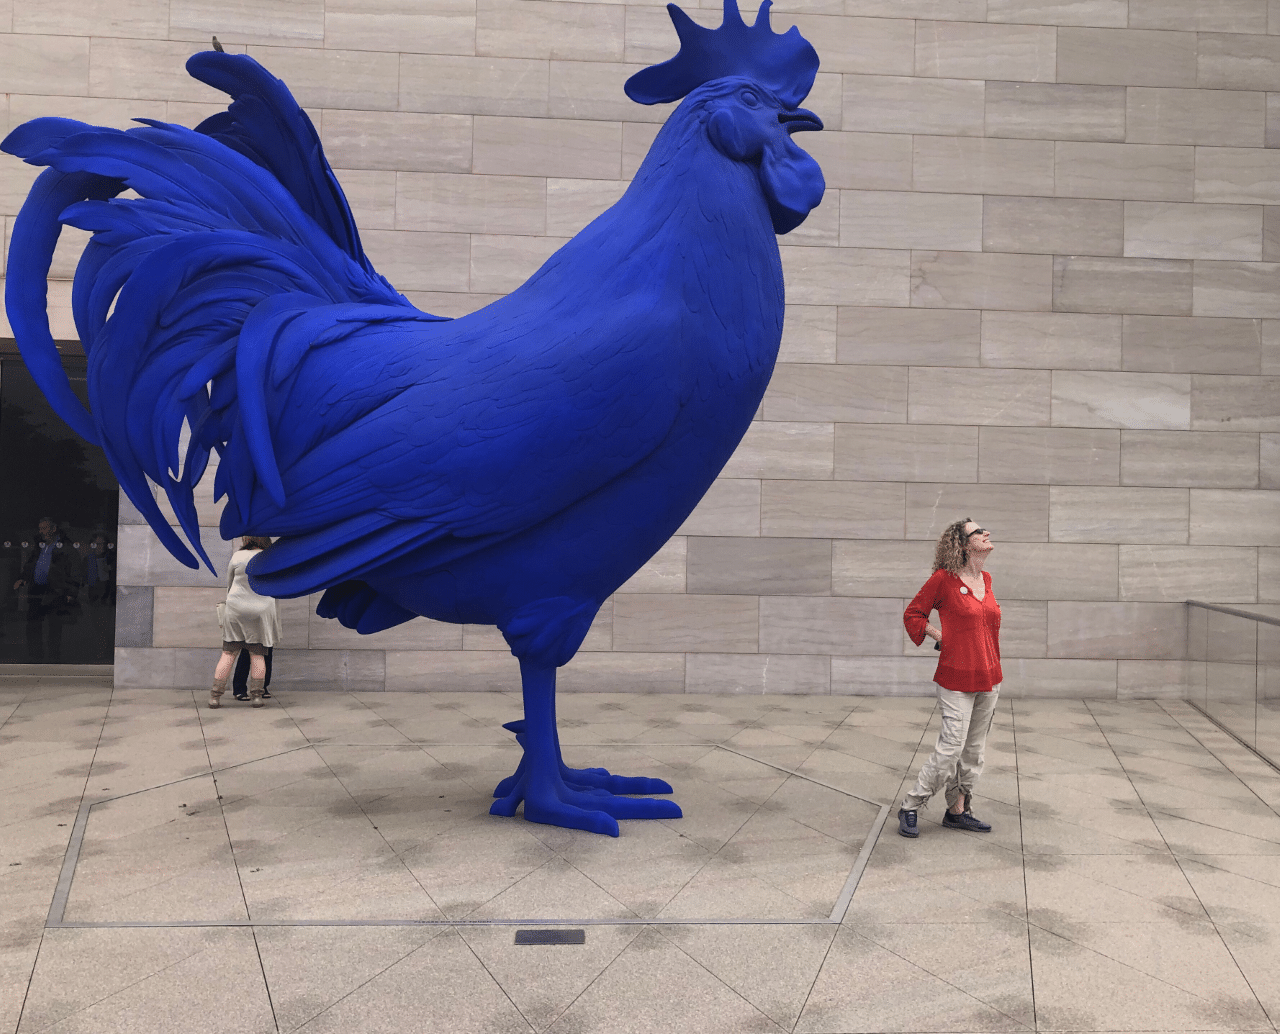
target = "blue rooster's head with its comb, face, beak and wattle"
x: 751, y: 83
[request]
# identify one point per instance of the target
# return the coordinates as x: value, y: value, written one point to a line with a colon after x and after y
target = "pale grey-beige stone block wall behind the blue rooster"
x: 1044, y: 291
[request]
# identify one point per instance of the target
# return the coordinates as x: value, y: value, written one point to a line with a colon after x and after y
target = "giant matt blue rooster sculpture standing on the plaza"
x: 510, y: 468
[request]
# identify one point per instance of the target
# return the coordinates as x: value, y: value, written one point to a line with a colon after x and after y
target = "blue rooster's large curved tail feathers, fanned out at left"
x: 184, y: 291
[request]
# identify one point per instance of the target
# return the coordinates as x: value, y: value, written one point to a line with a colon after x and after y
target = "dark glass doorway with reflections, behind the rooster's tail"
x: 58, y: 518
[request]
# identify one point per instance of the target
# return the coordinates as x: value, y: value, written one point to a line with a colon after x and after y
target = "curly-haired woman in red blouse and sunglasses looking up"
x: 968, y: 674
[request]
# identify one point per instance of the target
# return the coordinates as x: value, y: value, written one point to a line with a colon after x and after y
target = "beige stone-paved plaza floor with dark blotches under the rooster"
x: 328, y: 864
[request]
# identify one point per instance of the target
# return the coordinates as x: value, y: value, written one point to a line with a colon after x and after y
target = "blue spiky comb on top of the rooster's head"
x: 784, y: 62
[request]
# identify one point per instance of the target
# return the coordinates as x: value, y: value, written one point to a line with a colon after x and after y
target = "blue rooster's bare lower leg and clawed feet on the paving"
x: 540, y: 783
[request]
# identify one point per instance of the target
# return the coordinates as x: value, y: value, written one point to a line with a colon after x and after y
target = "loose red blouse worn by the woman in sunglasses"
x: 971, y: 633
